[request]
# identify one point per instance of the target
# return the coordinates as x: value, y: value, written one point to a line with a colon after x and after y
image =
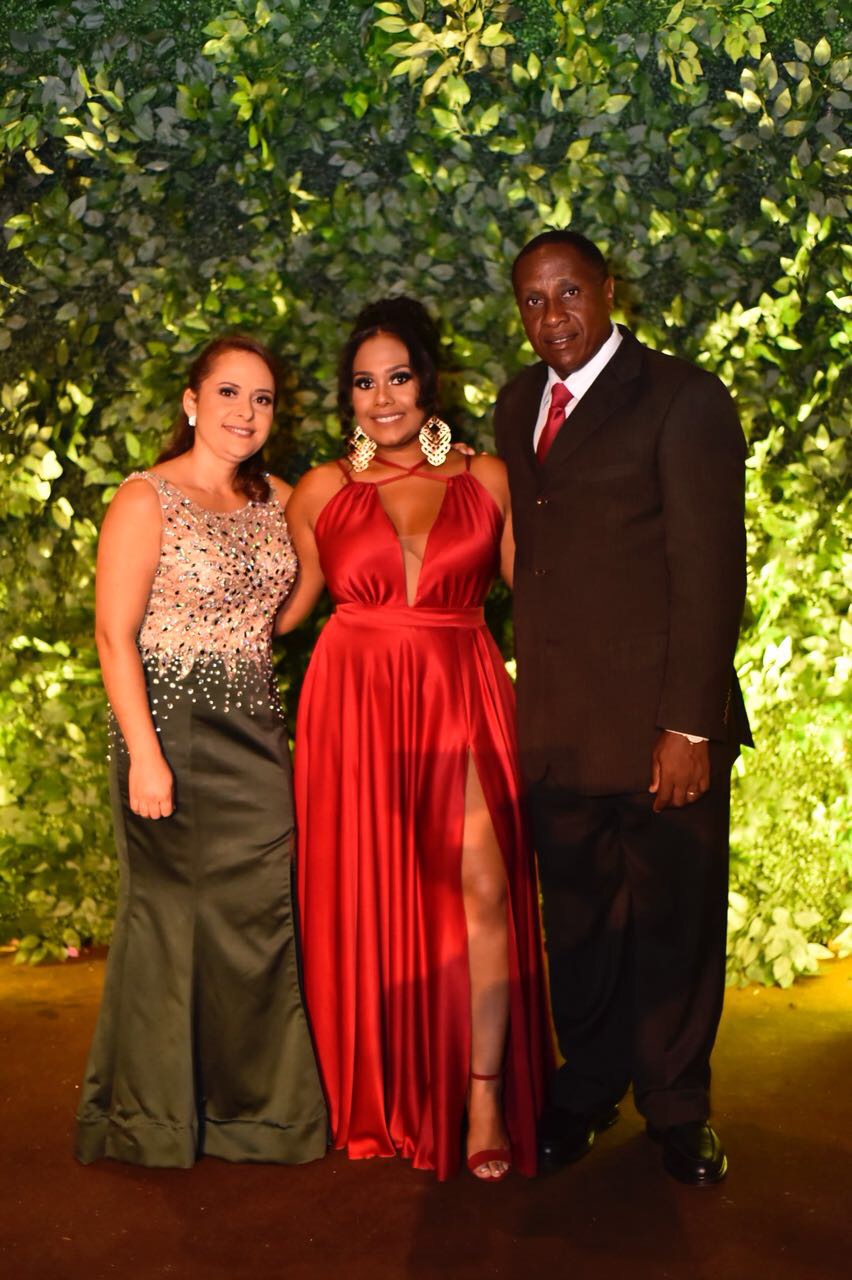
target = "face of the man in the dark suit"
x: 565, y: 304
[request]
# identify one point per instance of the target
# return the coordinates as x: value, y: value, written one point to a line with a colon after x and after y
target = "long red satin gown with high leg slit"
x: 396, y: 702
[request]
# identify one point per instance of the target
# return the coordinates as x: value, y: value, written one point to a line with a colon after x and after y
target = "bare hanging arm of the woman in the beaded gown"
x: 129, y: 552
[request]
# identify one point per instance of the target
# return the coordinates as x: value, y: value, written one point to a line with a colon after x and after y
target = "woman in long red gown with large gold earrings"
x: 420, y: 922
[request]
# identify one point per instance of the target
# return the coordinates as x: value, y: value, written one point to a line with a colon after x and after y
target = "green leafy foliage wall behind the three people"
x: 178, y: 170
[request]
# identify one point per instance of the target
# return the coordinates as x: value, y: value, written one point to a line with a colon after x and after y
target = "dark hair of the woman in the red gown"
x: 409, y: 321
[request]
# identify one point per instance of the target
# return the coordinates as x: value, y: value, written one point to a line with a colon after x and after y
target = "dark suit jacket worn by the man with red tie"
x: 630, y: 572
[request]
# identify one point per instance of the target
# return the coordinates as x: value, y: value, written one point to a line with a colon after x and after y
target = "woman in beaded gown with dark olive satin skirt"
x: 201, y: 1046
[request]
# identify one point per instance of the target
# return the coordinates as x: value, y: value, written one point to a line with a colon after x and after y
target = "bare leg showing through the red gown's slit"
x: 484, y: 889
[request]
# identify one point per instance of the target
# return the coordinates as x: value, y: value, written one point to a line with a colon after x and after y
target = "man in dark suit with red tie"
x: 626, y: 469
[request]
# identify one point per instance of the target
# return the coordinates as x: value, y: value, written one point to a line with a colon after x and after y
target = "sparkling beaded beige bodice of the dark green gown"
x: 221, y: 580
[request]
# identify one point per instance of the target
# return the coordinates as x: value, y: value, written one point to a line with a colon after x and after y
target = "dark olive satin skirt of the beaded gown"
x: 203, y: 1046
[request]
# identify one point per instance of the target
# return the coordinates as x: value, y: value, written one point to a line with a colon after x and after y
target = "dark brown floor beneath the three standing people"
x: 784, y: 1104
